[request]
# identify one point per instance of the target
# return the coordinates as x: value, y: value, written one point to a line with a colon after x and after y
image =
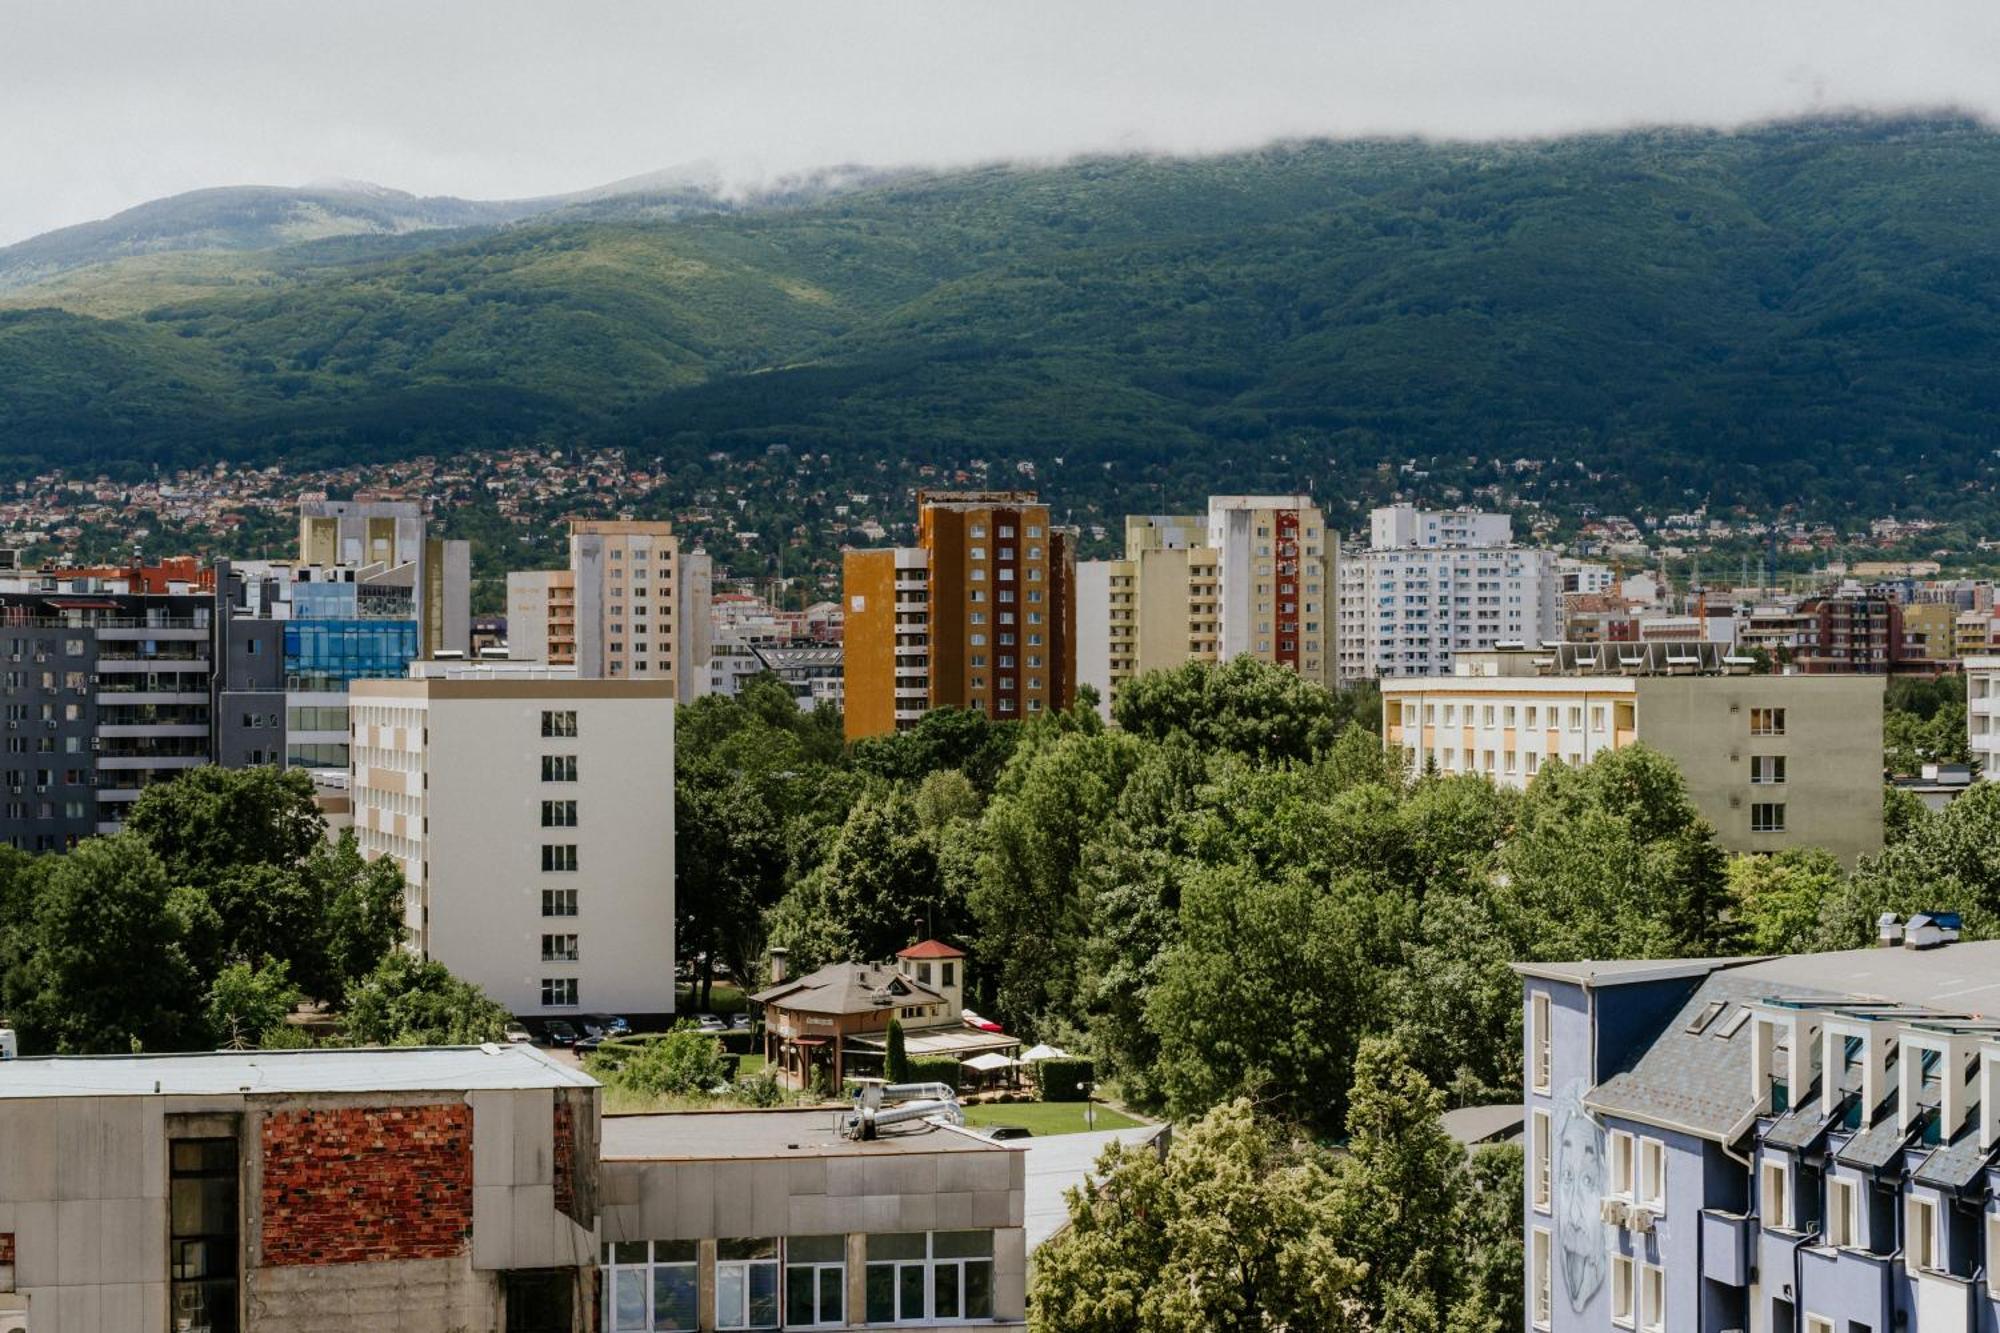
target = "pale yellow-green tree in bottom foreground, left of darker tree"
x: 1229, y: 1232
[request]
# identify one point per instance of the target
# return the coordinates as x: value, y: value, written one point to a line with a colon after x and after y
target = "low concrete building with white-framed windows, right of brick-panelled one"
x: 773, y: 1218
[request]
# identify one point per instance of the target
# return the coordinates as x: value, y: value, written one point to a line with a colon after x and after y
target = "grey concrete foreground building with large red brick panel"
x: 299, y: 1192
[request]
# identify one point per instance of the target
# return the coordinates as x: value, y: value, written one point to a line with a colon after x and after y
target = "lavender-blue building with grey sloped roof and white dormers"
x: 1773, y: 1146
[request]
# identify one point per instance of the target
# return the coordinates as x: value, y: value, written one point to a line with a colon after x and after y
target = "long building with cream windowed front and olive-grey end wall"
x: 1771, y: 762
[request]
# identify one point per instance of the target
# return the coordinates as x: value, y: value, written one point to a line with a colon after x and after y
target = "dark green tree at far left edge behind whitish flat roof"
x: 101, y: 966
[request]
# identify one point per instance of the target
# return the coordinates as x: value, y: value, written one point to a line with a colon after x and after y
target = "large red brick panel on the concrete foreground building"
x: 367, y: 1184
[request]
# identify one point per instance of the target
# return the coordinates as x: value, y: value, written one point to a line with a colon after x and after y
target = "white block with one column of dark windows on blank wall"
x: 533, y: 818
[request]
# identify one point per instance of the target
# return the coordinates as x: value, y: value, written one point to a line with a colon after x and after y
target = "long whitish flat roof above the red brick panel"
x: 263, y: 1074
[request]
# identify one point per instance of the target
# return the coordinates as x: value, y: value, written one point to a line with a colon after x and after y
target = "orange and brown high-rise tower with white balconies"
x: 979, y: 615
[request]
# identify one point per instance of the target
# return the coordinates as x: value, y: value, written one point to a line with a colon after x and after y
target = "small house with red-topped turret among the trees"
x: 833, y: 1024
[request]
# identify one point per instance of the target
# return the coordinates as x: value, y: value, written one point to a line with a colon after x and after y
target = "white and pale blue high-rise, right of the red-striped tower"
x: 1433, y: 585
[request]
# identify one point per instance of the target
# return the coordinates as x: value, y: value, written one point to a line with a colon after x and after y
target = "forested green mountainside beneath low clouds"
x: 1799, y: 313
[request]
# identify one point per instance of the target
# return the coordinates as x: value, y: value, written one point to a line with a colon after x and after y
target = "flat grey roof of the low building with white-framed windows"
x: 705, y: 1136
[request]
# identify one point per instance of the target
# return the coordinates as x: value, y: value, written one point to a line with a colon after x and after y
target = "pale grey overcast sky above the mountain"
x: 111, y: 103
